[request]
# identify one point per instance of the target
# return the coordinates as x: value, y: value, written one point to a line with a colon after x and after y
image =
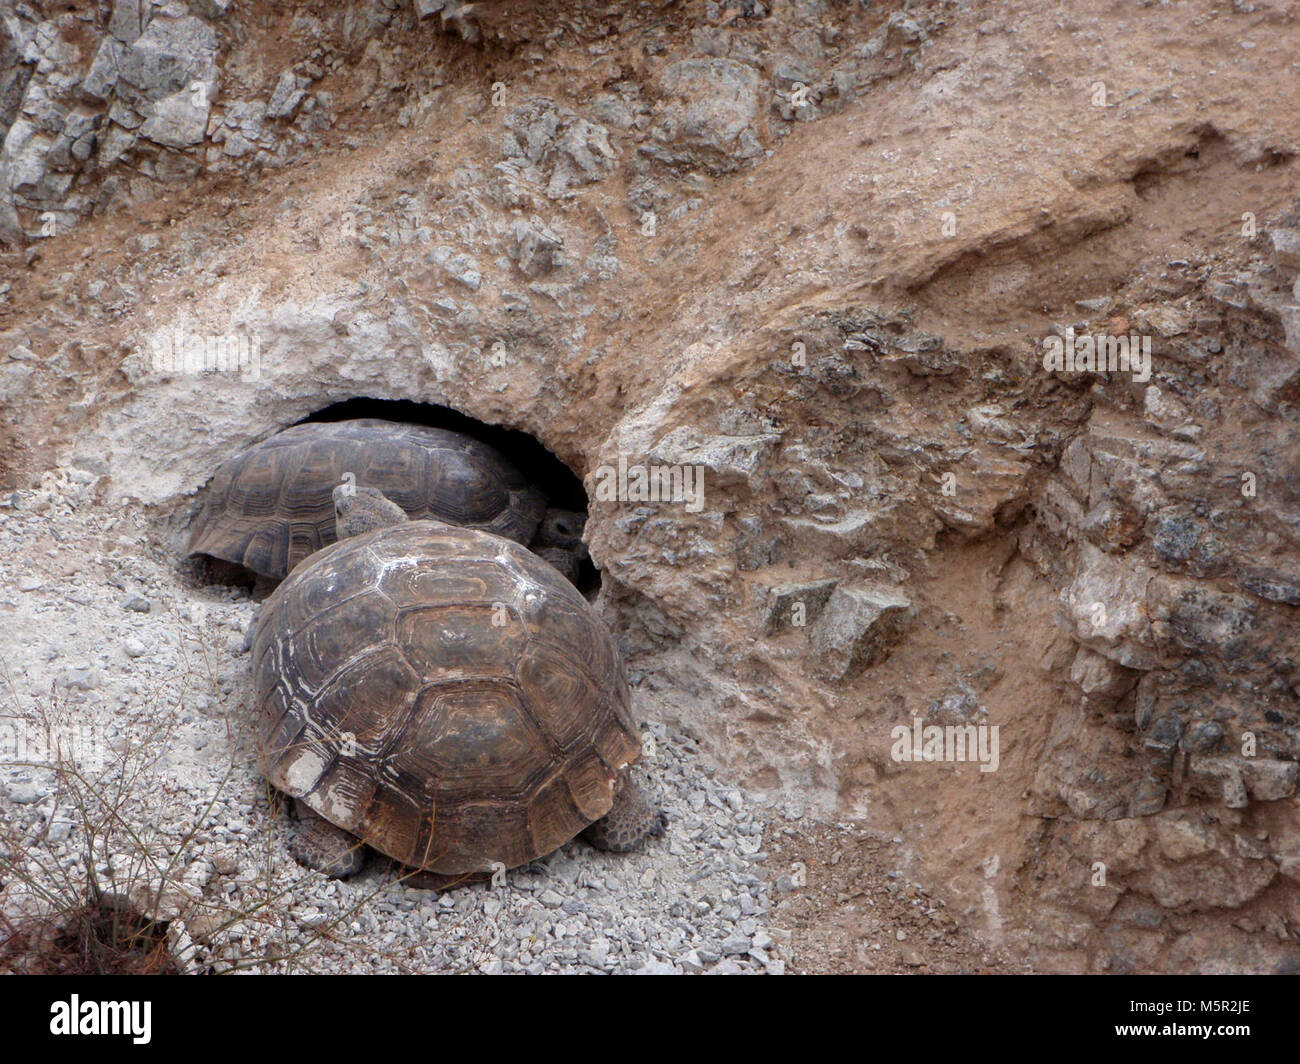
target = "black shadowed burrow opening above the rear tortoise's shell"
x: 544, y: 470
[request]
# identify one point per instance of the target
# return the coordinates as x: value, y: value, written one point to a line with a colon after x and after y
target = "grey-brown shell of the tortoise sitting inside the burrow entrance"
x: 271, y: 507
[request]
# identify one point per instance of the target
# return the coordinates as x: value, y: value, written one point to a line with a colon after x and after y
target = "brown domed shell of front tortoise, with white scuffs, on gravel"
x: 444, y: 695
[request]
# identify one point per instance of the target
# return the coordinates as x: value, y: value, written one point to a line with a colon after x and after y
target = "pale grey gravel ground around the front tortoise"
x: 142, y: 673
